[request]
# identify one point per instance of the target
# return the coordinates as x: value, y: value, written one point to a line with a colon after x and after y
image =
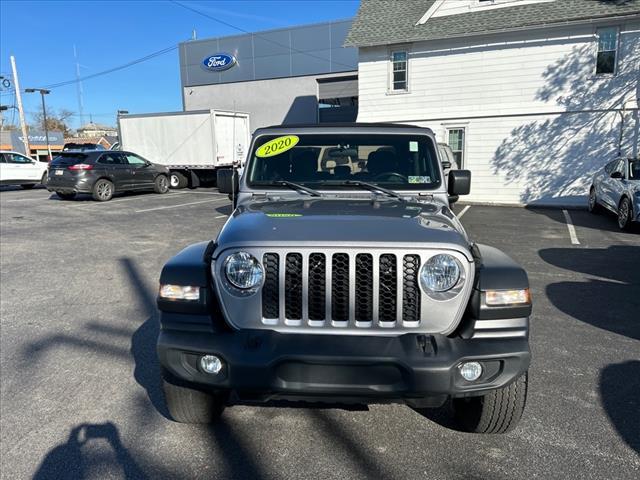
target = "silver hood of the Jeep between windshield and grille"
x: 344, y: 222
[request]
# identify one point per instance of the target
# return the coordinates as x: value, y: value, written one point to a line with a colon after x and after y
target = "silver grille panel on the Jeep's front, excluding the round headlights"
x: 342, y: 290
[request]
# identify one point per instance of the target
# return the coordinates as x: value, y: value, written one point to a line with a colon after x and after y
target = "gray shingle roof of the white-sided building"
x: 381, y: 22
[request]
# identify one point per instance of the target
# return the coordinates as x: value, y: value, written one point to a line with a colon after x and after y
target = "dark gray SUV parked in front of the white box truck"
x: 103, y: 173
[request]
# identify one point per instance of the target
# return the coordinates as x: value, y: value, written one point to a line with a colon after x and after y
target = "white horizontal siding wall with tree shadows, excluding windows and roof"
x: 513, y: 94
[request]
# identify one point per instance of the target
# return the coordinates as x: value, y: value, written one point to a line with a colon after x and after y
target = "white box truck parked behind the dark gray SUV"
x: 193, y: 145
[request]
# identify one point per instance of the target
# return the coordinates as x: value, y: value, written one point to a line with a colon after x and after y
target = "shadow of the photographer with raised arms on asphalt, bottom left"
x: 71, y: 460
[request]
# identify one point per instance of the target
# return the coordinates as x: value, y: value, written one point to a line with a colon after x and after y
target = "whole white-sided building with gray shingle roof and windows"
x: 533, y: 95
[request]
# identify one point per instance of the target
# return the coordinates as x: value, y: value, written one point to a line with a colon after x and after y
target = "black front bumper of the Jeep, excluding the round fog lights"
x: 264, y: 365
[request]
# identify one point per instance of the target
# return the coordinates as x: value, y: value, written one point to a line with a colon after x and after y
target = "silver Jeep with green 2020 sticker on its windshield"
x: 342, y: 276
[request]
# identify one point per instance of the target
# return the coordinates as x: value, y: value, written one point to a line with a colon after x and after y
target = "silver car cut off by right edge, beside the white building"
x: 616, y: 187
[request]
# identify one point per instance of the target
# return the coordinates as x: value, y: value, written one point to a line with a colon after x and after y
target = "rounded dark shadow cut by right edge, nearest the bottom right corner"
x: 620, y: 393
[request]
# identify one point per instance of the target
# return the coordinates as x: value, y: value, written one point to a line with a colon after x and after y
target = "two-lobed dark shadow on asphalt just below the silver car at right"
x: 610, y: 301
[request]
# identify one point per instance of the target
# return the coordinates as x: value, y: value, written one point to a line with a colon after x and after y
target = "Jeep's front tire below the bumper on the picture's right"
x: 496, y: 412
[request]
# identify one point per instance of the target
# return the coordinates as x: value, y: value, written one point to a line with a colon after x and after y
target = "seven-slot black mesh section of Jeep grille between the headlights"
x: 337, y: 307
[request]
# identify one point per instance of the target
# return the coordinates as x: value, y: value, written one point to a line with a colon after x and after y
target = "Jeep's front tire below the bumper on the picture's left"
x: 188, y: 405
